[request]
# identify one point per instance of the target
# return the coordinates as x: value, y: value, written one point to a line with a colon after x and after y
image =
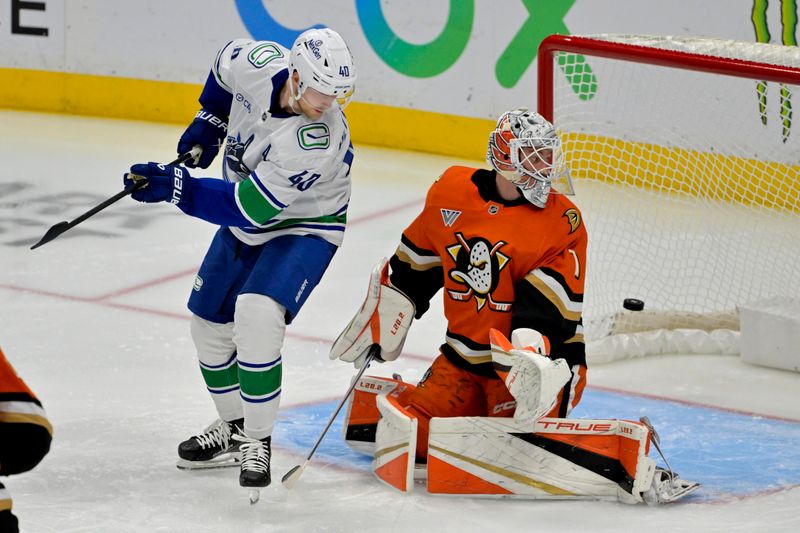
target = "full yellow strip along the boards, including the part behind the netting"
x: 706, y: 175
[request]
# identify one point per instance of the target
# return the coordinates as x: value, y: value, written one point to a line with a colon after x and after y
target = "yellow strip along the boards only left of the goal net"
x: 172, y: 102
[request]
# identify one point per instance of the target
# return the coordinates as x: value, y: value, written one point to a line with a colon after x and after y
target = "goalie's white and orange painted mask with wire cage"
x: 525, y: 150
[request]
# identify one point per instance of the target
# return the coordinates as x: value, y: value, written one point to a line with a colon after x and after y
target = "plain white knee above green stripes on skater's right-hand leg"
x: 259, y: 324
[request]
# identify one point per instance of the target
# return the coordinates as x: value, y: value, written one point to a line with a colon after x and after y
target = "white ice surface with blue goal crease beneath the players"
x: 95, y: 321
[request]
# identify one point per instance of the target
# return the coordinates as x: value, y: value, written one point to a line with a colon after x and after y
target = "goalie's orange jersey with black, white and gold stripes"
x: 502, y: 265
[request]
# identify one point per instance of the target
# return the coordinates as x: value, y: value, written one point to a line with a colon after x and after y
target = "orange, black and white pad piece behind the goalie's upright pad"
x: 362, y: 415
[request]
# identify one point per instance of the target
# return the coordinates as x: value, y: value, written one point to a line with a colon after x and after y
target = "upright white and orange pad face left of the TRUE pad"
x: 395, y: 445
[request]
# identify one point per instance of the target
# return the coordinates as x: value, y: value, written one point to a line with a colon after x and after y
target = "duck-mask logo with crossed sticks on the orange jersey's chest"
x: 478, y: 266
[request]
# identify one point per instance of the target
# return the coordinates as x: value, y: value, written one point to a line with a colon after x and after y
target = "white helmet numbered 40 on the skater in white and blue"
x: 324, y: 63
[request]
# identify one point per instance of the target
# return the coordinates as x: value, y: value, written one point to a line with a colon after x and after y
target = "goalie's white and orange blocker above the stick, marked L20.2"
x: 384, y: 319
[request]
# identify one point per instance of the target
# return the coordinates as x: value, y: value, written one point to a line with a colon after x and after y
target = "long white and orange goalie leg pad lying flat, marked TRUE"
x: 554, y: 458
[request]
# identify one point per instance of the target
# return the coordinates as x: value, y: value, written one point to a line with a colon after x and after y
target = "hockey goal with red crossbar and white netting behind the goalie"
x: 685, y: 158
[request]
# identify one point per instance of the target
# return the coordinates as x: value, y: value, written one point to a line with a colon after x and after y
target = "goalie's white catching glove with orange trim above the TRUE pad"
x: 533, y: 379
